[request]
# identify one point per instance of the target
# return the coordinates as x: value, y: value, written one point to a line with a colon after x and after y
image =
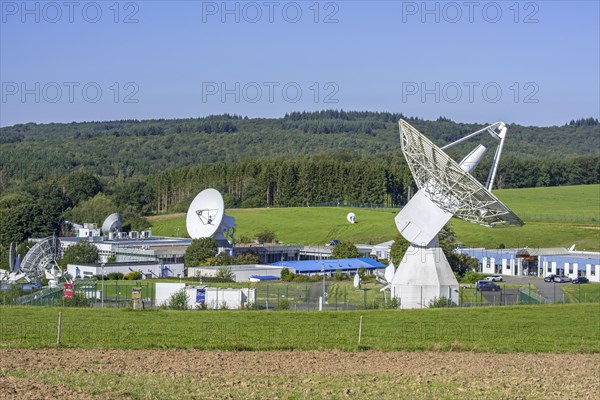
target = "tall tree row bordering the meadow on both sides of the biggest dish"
x: 314, y: 180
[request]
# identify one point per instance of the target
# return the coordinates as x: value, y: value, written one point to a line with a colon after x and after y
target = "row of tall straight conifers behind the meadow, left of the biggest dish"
x: 285, y: 183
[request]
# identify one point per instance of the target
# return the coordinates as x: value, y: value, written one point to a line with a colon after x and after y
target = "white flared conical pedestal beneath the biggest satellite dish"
x: 424, y: 275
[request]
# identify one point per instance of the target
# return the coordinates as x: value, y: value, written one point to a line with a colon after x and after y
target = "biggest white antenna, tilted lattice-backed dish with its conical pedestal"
x: 446, y: 189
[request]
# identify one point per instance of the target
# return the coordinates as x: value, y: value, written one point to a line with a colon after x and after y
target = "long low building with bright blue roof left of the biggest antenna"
x: 318, y: 267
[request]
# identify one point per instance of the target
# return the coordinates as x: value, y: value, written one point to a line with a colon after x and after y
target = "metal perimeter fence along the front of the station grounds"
x: 305, y: 296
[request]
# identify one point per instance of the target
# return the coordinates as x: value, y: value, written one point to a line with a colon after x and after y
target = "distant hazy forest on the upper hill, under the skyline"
x: 135, y: 149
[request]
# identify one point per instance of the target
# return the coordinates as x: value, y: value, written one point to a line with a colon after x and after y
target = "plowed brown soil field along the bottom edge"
x: 140, y: 374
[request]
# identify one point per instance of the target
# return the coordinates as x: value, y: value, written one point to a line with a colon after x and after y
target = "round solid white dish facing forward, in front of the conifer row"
x: 206, y: 217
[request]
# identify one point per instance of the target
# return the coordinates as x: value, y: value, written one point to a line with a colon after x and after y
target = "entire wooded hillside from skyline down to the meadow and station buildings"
x: 81, y: 172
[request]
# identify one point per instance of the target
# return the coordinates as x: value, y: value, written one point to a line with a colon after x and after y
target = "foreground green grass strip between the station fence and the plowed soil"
x: 530, y: 329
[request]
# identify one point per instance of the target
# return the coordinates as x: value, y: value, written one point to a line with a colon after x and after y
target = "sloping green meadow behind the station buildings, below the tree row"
x: 554, y: 217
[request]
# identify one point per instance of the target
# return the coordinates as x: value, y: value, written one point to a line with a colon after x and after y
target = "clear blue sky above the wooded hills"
x: 533, y: 63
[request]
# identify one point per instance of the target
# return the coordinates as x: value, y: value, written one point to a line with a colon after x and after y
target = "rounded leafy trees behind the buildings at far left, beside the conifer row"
x: 41, y: 209
